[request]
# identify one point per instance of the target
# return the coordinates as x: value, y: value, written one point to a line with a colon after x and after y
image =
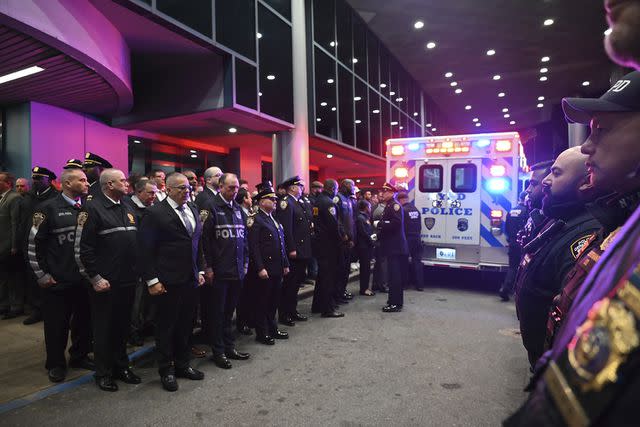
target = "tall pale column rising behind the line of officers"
x: 291, y: 148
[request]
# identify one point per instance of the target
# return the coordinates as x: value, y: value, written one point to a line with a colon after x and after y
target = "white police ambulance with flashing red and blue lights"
x: 464, y: 186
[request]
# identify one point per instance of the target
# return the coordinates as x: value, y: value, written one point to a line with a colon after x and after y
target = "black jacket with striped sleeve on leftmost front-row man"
x: 51, y: 243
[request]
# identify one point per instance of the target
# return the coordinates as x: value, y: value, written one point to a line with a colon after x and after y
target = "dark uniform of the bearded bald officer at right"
x: 546, y: 261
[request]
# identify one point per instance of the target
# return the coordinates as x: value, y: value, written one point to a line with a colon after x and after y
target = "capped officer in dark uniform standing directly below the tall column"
x: 297, y: 225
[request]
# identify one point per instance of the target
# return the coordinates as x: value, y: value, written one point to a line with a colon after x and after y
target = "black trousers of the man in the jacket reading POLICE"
x: 226, y: 293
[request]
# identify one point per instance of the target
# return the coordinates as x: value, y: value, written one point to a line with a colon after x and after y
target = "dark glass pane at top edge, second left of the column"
x: 236, y: 25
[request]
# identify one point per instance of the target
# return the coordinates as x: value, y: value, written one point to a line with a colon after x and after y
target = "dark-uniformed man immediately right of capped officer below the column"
x: 328, y: 239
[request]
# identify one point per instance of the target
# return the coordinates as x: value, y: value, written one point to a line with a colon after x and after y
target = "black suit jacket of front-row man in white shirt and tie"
x: 166, y: 250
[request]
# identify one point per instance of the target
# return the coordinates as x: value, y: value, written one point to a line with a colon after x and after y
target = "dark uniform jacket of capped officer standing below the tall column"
x: 297, y: 224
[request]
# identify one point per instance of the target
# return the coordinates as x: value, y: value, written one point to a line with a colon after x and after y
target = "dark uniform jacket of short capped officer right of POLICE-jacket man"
x: 266, y: 245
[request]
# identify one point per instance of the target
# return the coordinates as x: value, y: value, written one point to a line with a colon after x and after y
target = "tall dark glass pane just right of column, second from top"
x: 325, y: 103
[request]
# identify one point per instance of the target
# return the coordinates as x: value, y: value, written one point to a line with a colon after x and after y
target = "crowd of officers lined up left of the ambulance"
x: 108, y: 257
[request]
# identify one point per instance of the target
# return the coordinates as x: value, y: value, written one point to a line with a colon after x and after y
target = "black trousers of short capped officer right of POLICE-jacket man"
x: 266, y: 293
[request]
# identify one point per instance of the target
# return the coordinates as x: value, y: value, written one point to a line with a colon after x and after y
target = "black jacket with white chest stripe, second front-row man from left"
x: 106, y: 243
